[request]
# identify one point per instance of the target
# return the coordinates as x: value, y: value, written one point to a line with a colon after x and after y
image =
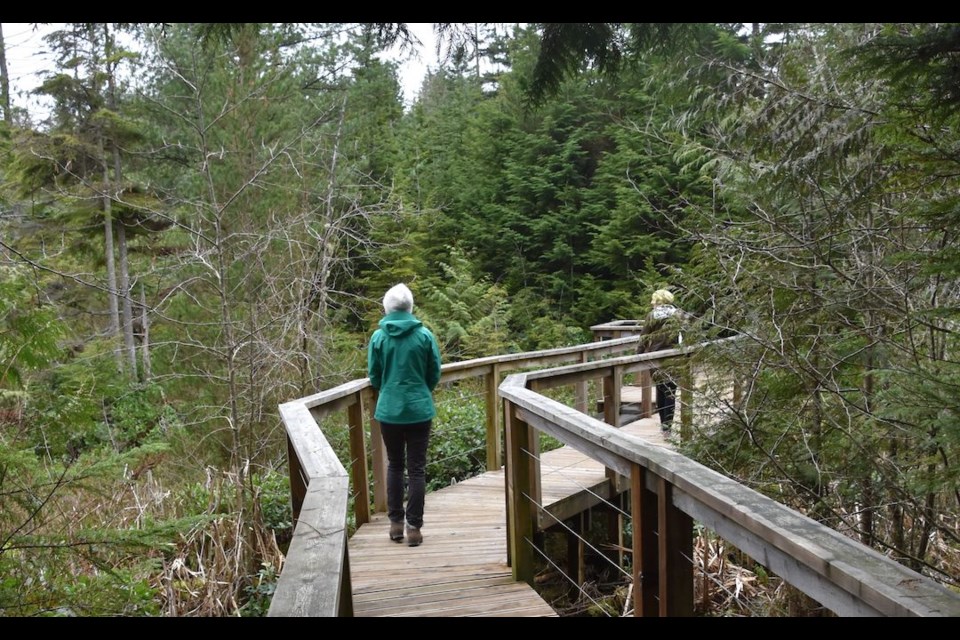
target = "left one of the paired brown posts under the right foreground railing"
x: 646, y: 568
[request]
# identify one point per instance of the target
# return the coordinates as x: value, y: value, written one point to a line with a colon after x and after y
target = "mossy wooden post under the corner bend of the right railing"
x: 517, y: 479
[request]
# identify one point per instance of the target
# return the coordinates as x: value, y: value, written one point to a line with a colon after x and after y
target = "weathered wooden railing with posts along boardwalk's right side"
x: 839, y: 572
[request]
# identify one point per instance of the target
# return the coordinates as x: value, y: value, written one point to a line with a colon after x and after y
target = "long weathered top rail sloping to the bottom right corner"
x: 841, y: 563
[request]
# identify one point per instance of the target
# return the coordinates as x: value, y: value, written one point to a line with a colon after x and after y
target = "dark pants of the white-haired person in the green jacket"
x: 406, y: 446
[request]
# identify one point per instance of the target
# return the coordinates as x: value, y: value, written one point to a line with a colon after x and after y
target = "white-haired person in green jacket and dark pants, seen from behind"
x: 403, y: 364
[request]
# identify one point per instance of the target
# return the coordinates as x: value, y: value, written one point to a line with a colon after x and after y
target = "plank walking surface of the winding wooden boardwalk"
x: 461, y: 568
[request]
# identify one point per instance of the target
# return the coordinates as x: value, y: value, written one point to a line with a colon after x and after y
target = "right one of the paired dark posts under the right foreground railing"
x: 675, y: 546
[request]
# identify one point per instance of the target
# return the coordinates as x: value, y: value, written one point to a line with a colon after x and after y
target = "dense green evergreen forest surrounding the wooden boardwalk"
x: 203, y: 226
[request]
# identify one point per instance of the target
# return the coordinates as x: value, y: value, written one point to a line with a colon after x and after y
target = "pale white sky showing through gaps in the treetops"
x: 26, y: 56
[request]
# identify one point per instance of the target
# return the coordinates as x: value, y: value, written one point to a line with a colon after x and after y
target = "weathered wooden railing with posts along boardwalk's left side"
x: 315, y: 579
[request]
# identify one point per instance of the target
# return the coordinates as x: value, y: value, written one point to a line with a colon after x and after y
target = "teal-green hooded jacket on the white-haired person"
x: 403, y: 364
